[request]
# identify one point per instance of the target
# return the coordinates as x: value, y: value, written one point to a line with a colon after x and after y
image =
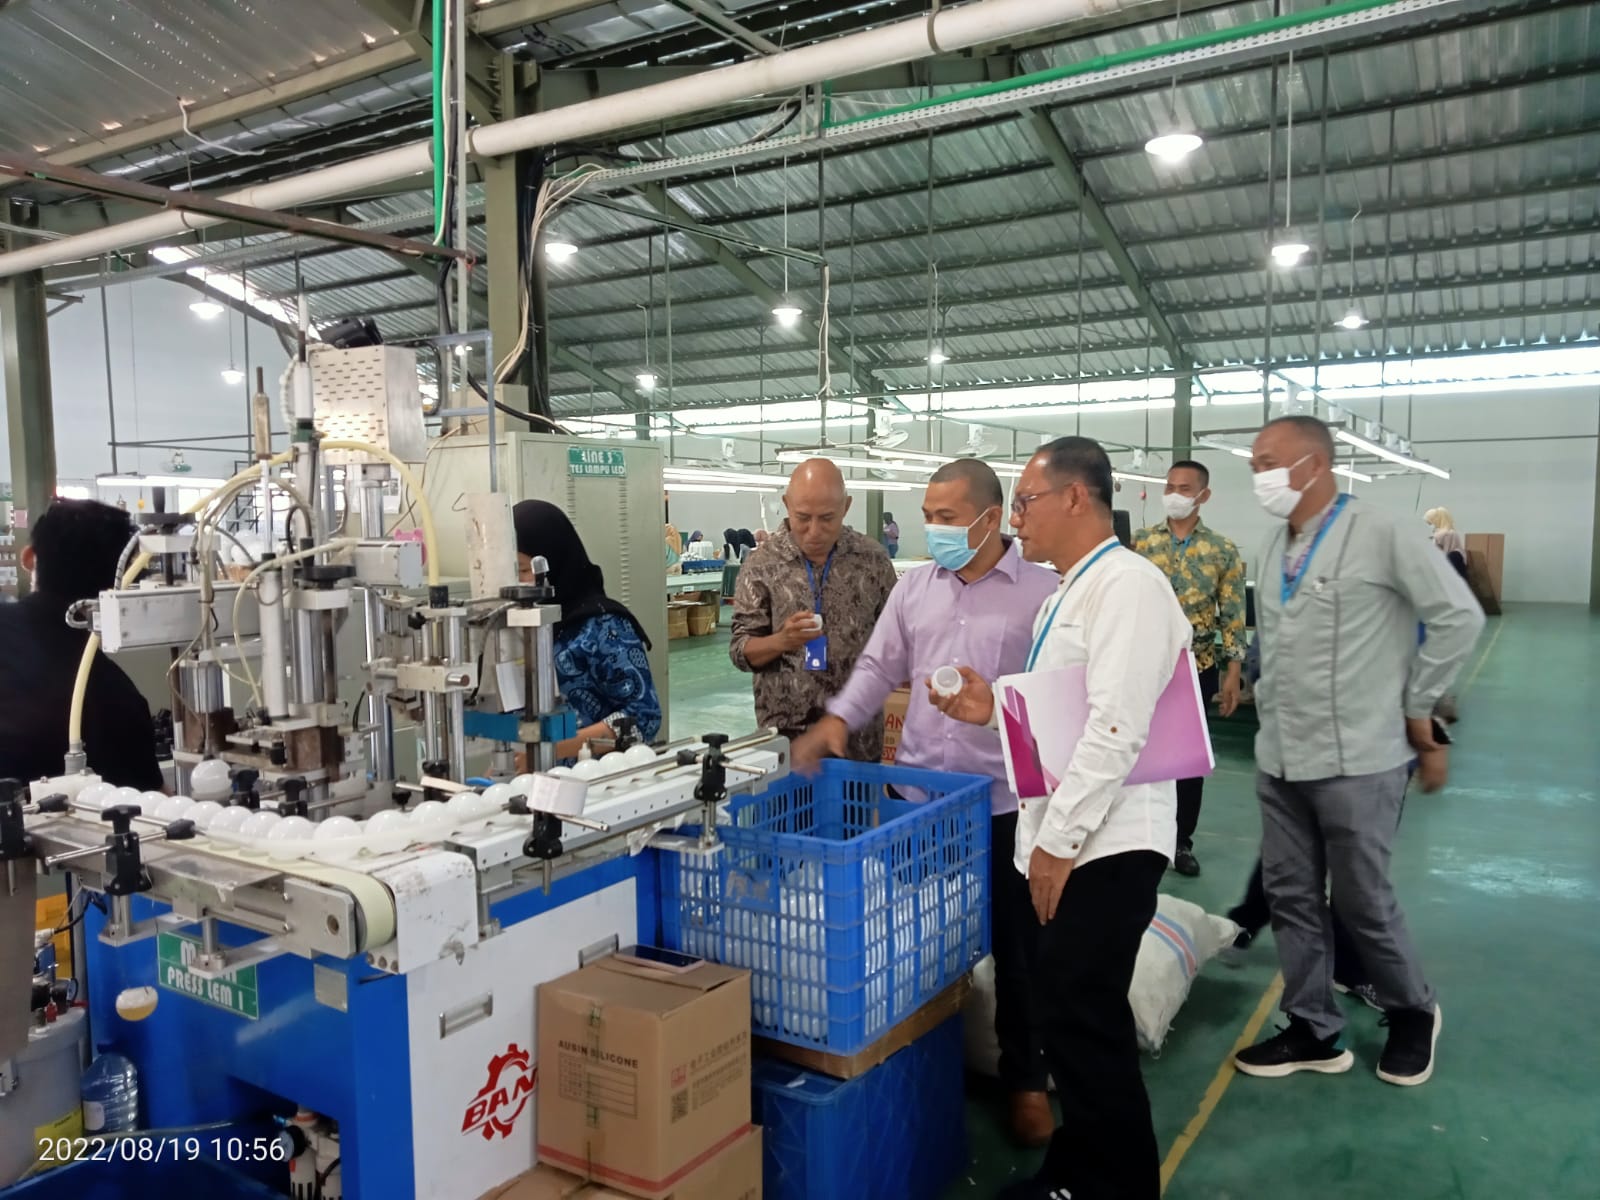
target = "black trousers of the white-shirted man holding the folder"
x: 1105, y: 1148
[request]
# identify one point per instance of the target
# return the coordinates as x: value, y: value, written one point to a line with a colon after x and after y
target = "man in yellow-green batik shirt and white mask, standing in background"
x: 1209, y: 578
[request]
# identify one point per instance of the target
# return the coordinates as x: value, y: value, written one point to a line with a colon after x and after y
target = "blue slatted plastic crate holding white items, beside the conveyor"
x: 849, y: 906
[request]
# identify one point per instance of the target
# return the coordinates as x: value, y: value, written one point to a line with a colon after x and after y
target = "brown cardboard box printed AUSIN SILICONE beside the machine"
x: 646, y: 1074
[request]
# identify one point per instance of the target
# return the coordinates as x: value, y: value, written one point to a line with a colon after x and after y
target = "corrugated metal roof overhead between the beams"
x: 1476, y: 222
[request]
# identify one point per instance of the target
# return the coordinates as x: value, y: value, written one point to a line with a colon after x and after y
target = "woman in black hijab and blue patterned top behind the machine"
x: 601, y: 647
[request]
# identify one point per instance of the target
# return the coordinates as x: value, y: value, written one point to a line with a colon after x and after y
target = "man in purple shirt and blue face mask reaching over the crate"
x: 974, y: 607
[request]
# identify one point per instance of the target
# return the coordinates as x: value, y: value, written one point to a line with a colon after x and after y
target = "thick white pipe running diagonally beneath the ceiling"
x: 921, y: 38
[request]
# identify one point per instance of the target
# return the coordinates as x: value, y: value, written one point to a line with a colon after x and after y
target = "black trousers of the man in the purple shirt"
x: 1014, y: 937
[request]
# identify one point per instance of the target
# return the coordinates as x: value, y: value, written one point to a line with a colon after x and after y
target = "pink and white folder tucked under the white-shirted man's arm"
x: 1042, y: 718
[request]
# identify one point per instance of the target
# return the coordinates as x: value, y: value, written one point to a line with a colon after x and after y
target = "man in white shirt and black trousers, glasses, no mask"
x: 1097, y: 849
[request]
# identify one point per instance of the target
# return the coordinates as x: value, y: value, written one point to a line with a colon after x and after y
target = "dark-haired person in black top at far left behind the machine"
x: 73, y: 556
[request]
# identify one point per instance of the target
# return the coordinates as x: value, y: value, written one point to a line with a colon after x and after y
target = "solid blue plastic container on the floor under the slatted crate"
x: 895, y: 1134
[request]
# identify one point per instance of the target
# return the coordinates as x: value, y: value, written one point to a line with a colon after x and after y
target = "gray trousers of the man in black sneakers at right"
x: 1340, y: 830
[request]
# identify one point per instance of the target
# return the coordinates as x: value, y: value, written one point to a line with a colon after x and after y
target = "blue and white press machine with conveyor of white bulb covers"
x: 353, y: 948
